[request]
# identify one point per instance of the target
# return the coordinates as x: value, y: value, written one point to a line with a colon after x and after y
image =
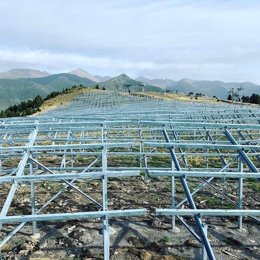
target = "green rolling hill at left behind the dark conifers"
x: 14, y: 91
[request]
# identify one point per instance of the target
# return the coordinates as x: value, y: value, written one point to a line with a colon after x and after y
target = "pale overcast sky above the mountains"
x: 199, y: 39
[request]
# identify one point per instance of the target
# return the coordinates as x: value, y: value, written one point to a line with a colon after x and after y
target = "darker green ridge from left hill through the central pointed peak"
x: 14, y: 91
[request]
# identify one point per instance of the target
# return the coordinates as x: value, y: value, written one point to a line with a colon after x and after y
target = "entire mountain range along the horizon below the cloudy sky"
x: 18, y: 85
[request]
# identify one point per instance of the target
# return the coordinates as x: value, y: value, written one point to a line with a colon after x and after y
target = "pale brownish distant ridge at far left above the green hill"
x: 23, y: 73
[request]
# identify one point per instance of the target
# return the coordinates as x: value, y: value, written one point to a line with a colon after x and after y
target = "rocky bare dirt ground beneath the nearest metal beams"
x: 147, y: 237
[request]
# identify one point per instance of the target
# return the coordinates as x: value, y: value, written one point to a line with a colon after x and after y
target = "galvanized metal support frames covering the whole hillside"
x: 76, y: 143
